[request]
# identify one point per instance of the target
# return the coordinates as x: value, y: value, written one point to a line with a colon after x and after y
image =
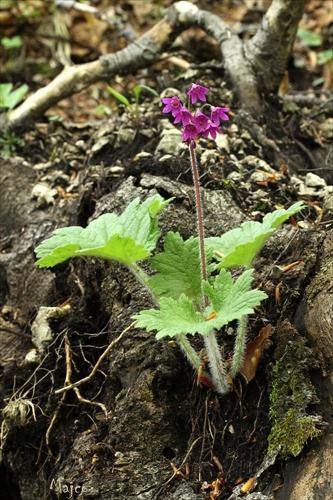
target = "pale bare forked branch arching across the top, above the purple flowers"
x: 253, y: 68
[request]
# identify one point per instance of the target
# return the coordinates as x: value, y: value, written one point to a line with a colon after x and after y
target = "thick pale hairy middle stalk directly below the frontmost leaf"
x: 216, y: 364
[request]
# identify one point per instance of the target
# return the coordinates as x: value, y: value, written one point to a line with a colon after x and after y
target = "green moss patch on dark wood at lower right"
x: 291, y: 394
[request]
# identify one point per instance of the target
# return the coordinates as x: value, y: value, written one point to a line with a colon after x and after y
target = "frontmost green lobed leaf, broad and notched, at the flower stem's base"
x: 230, y: 300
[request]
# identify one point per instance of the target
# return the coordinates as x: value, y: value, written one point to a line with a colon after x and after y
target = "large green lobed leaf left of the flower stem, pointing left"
x: 127, y: 238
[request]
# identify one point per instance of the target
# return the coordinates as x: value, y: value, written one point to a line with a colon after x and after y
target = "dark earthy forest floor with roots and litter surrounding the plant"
x: 117, y: 435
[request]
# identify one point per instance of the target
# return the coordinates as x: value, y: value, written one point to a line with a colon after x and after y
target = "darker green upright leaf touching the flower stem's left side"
x: 179, y: 269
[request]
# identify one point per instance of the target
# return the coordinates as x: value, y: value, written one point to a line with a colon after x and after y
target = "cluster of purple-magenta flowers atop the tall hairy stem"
x: 196, y: 124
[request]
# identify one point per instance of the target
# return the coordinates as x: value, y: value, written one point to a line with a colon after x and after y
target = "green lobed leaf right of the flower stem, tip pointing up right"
x: 241, y: 245
